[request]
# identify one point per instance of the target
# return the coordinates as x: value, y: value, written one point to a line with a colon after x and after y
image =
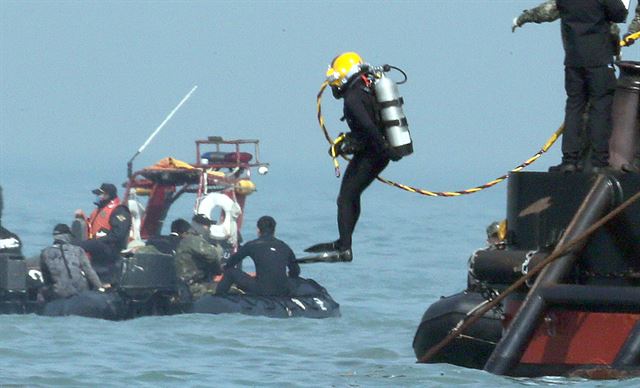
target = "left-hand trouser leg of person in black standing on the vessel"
x: 577, y: 97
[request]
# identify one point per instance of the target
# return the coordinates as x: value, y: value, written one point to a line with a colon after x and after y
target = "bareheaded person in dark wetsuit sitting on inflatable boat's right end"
x: 271, y: 258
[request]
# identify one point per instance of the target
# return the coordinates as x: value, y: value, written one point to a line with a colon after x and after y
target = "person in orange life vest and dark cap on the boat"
x: 108, y: 231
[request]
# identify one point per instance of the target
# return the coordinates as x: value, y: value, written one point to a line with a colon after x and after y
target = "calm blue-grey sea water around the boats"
x: 408, y: 251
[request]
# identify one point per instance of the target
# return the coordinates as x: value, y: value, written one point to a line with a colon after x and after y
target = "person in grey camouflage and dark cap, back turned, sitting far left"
x: 65, y: 267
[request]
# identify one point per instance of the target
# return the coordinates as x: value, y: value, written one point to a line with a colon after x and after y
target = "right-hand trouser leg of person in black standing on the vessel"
x: 601, y: 83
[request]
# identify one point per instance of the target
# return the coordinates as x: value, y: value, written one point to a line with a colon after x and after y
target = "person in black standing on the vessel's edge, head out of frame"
x: 589, y: 76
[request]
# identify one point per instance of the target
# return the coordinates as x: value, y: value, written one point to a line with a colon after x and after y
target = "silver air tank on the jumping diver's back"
x: 393, y: 118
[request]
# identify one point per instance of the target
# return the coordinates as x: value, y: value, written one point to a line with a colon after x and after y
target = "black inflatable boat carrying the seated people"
x: 149, y: 287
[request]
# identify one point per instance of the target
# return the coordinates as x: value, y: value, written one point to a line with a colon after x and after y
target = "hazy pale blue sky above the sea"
x: 80, y: 78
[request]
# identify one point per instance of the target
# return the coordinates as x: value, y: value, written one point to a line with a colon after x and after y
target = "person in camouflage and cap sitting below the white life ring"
x: 197, y: 260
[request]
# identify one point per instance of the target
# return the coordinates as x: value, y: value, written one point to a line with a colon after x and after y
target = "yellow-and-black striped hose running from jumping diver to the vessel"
x: 425, y: 192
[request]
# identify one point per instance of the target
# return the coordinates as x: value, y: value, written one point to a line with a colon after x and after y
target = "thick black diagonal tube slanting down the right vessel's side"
x: 509, y: 350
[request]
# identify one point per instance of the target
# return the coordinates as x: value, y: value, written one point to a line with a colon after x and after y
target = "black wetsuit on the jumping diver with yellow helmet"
x: 371, y: 157
